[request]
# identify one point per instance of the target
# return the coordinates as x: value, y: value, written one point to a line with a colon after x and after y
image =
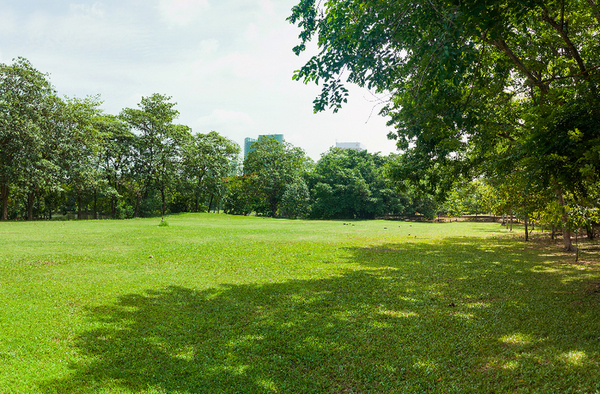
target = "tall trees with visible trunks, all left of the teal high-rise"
x: 60, y: 155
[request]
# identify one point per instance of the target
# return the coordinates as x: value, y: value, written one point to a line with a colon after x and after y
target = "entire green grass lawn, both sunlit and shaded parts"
x: 221, y: 304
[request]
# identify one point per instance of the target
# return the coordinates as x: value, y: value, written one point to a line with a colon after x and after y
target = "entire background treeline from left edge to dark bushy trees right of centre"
x: 65, y: 156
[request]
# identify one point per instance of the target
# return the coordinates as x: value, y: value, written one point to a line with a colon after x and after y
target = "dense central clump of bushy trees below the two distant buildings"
x: 279, y: 180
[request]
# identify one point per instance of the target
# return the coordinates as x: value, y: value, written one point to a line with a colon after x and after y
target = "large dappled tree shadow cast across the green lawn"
x: 457, y: 316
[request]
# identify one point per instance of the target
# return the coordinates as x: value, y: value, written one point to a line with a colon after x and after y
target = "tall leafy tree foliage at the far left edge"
x: 47, y: 144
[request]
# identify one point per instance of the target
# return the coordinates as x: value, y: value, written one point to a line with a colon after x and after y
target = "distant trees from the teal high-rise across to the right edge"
x: 279, y: 180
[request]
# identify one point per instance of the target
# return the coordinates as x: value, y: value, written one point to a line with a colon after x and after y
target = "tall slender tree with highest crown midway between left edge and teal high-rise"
x: 160, y: 144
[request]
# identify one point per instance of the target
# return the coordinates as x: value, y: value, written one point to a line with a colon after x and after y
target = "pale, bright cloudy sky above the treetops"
x: 228, y: 64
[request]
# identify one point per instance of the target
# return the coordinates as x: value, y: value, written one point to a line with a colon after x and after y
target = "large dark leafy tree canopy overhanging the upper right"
x: 469, y: 81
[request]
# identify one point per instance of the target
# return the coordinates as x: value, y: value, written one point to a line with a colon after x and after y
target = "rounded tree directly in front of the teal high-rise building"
x: 272, y: 166
